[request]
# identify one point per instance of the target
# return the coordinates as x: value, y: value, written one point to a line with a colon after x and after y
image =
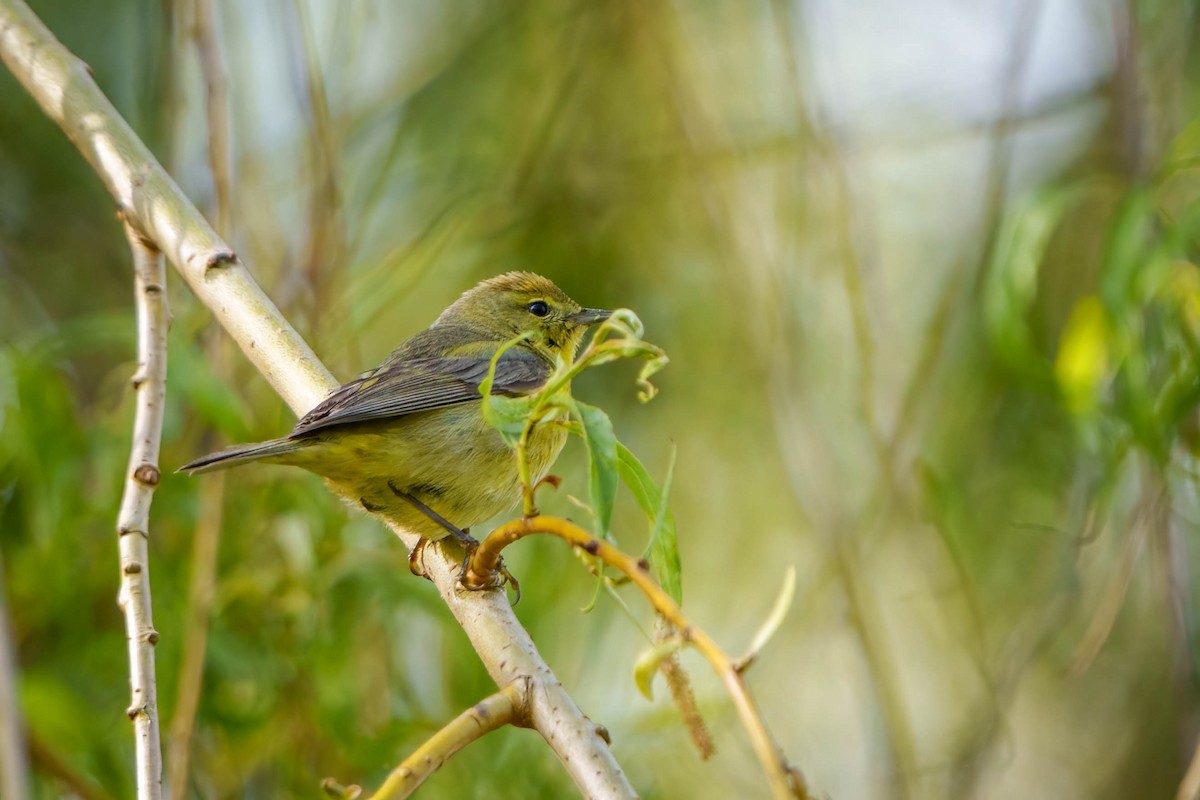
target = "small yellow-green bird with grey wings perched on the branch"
x: 410, y: 437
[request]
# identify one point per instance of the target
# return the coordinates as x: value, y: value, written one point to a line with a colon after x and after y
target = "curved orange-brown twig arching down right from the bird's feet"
x: 785, y: 780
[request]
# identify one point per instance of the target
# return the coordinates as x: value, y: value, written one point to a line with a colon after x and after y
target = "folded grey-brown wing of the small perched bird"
x: 406, y: 387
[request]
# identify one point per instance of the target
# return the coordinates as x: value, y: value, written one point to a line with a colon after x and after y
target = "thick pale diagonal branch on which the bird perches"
x: 67, y: 93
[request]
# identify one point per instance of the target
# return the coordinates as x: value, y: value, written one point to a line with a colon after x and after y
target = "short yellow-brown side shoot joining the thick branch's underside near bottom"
x: 490, y: 714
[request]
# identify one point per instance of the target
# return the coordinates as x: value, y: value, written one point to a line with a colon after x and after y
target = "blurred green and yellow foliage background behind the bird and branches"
x: 927, y: 276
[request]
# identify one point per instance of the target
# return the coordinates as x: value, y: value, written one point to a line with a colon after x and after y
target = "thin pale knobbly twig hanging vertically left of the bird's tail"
x: 134, y: 520
